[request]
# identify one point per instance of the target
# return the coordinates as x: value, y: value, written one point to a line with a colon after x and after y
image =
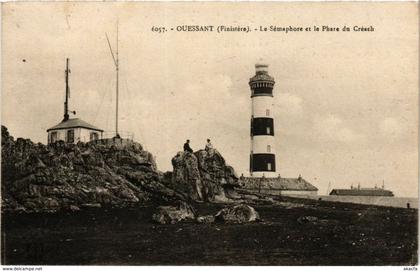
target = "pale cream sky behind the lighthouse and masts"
x: 346, y: 103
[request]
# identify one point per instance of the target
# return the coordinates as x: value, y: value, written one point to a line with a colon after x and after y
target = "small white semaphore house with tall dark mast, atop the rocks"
x: 72, y: 130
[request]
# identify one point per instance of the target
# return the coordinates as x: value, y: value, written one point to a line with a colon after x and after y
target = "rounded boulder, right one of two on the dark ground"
x: 241, y: 213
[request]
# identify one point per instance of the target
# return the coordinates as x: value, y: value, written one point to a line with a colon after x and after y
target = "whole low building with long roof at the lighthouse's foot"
x: 278, y: 185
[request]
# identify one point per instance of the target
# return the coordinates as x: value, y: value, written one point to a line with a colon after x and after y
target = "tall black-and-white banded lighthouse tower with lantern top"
x: 263, y: 156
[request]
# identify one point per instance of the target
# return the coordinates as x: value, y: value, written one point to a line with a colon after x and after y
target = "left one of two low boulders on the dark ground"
x: 172, y: 215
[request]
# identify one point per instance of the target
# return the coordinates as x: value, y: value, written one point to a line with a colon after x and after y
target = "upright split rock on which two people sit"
x: 203, y: 175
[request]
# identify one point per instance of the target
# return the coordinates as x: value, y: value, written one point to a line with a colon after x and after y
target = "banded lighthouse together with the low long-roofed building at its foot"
x: 263, y: 169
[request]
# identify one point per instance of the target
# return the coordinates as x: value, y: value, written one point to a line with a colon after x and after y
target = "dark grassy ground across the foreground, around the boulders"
x: 344, y: 234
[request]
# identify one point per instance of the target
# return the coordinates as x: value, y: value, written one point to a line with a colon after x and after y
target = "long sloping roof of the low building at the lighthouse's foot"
x: 279, y: 183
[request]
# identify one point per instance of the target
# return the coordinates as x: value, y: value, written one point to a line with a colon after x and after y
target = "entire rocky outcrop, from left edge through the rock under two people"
x: 109, y: 172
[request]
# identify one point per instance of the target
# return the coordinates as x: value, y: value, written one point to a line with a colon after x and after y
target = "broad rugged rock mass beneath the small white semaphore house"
x: 36, y: 177
